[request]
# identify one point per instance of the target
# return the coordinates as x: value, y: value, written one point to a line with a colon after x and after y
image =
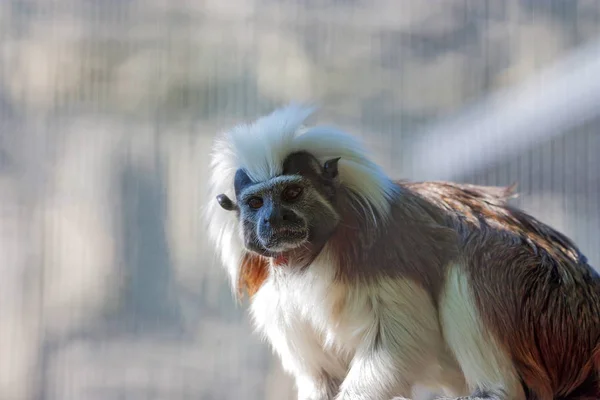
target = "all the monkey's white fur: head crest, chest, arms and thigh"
x: 350, y: 342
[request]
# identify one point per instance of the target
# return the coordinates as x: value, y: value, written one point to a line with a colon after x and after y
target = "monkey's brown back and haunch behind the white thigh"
x: 533, y: 287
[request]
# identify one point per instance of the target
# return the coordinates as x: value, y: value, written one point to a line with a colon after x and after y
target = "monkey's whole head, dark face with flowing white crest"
x: 277, y: 189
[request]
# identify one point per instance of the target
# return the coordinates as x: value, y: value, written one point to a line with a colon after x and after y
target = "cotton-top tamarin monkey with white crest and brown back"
x: 366, y: 286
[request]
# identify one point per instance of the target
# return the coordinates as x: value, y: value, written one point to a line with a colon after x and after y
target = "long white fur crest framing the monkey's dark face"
x: 262, y: 146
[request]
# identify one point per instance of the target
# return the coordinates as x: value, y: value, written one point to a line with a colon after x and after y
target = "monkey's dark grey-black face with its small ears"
x: 291, y: 215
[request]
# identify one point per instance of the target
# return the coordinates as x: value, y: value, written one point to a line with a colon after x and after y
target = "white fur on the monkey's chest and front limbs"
x: 322, y: 330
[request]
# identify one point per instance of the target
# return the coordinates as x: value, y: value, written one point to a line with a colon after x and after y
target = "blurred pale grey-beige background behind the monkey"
x: 108, y: 287
